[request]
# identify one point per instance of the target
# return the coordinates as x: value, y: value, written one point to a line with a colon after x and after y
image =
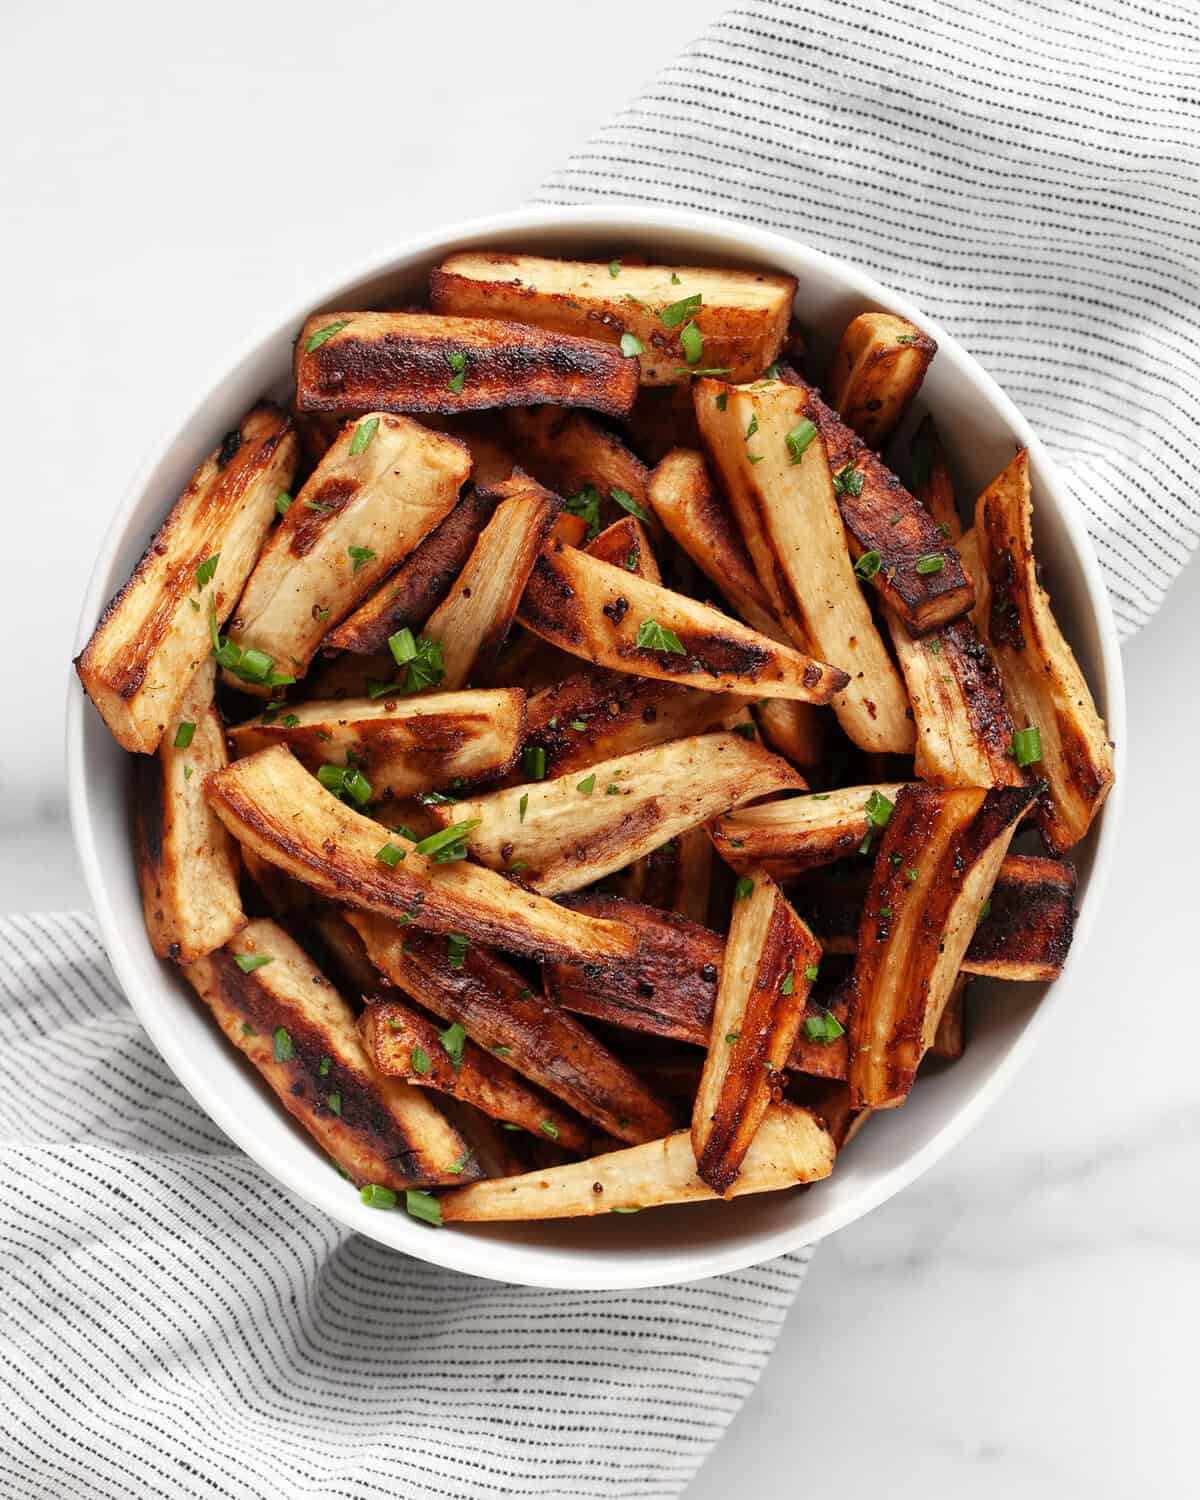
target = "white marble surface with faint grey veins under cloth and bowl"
x: 1021, y: 1322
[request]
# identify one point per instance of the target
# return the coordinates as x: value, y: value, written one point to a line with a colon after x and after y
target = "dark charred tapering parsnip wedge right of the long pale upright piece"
x: 913, y: 566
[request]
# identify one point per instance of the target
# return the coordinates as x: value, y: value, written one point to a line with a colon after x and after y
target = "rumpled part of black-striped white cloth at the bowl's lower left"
x: 175, y: 1324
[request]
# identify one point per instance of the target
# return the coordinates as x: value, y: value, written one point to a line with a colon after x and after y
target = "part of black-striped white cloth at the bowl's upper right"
x: 1030, y: 173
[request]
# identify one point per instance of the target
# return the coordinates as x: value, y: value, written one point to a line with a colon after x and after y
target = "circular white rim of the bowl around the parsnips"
x: 553, y: 1267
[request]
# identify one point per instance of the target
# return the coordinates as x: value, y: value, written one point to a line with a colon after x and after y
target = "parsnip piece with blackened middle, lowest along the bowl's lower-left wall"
x: 290, y: 1022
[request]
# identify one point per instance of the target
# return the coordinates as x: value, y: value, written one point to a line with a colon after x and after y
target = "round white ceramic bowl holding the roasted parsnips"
x: 982, y: 430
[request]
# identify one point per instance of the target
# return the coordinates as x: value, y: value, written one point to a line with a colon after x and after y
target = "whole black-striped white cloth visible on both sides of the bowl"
x: 173, y: 1324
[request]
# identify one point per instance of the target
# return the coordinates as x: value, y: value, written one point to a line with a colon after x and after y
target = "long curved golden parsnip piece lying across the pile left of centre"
x: 271, y: 803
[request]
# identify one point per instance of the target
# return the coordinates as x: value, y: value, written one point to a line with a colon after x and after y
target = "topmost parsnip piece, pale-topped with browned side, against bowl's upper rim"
x: 742, y: 317
